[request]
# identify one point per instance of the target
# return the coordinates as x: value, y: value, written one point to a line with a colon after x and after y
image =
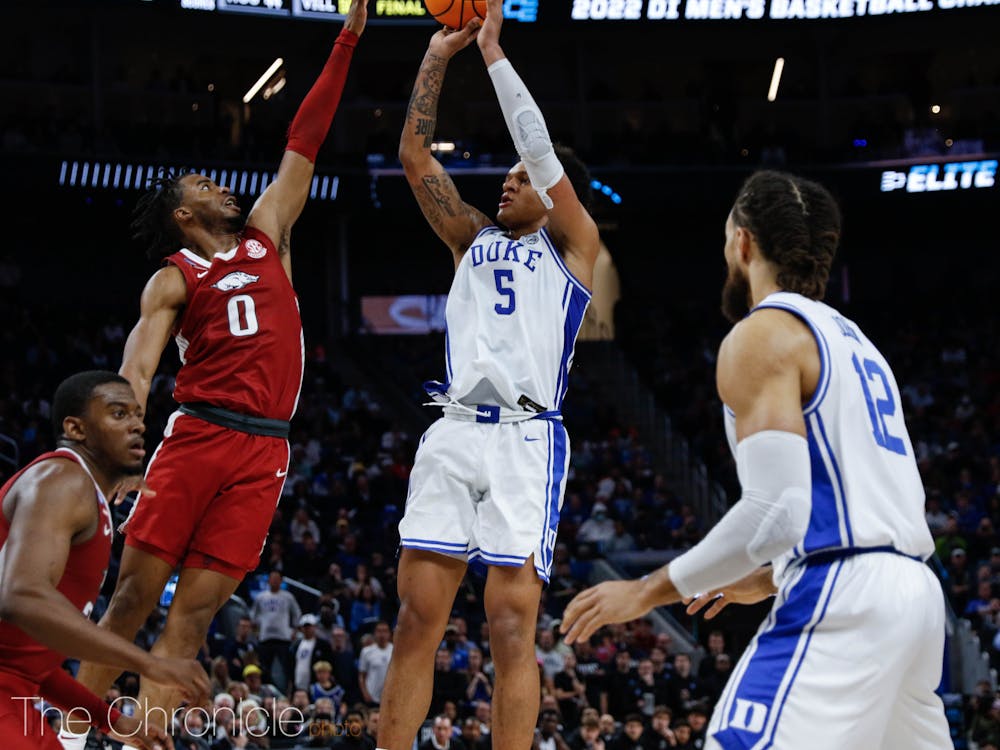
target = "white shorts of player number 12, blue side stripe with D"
x: 848, y: 659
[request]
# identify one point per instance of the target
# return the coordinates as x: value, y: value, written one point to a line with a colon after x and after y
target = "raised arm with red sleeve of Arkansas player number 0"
x: 280, y: 205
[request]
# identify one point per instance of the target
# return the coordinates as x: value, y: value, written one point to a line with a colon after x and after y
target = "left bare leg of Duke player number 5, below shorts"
x: 428, y: 582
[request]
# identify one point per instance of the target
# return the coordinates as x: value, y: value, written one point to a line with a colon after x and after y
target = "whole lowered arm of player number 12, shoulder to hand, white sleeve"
x: 765, y: 365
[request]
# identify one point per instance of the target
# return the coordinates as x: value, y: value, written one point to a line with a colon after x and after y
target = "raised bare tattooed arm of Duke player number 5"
x: 454, y: 221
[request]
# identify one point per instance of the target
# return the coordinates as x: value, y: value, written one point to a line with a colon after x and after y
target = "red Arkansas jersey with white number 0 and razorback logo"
x: 240, y: 334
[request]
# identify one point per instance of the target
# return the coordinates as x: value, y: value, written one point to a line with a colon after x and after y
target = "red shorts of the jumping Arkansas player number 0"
x: 216, y: 492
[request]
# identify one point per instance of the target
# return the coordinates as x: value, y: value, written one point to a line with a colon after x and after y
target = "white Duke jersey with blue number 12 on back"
x: 866, y: 490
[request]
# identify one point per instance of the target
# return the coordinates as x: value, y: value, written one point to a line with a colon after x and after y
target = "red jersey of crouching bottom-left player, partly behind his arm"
x: 80, y: 583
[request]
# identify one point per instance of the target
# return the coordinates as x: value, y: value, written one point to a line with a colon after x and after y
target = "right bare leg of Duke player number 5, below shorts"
x: 511, y: 602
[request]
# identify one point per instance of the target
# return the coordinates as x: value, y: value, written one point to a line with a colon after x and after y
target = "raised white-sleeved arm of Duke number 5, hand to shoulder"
x: 571, y: 226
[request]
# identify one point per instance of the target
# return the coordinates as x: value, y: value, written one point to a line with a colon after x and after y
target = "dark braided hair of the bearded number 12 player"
x: 796, y: 223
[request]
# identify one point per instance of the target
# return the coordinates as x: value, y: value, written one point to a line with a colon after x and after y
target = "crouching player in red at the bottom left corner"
x: 55, y: 539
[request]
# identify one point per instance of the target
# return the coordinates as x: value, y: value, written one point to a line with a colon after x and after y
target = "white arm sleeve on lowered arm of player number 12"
x: 771, y: 517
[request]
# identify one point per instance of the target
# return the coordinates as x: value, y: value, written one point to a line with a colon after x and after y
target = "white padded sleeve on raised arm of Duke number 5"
x: 527, y: 128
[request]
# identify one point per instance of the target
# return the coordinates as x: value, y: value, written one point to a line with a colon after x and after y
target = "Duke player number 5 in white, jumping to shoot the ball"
x: 488, y: 480
